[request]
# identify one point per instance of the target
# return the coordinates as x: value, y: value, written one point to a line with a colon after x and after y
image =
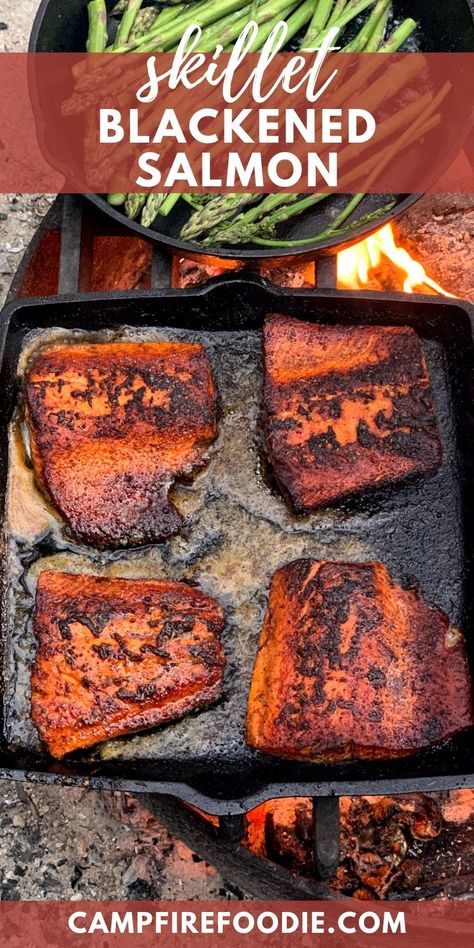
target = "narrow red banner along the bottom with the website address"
x: 237, y: 924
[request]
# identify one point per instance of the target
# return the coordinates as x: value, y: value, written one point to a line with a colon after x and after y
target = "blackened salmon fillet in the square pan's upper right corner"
x: 345, y: 409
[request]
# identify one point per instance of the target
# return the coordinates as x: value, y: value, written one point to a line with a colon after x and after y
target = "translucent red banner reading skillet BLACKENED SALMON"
x: 124, y: 123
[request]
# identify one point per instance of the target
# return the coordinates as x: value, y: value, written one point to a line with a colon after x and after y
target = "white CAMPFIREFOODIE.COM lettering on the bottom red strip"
x: 239, y: 923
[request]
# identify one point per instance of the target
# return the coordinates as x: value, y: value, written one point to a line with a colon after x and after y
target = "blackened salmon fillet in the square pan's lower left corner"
x: 116, y: 656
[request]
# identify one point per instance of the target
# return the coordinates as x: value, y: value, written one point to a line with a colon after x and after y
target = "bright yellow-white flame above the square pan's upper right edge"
x: 358, y: 264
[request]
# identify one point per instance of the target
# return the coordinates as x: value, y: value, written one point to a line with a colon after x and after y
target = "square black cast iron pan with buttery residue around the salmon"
x: 238, y: 530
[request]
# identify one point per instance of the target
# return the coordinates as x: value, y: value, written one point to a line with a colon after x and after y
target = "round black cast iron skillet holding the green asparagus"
x: 444, y: 26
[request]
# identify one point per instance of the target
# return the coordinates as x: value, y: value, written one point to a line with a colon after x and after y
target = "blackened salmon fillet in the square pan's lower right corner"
x: 350, y: 665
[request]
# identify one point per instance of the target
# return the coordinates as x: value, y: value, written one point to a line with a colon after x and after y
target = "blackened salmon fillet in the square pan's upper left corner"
x: 112, y: 425
